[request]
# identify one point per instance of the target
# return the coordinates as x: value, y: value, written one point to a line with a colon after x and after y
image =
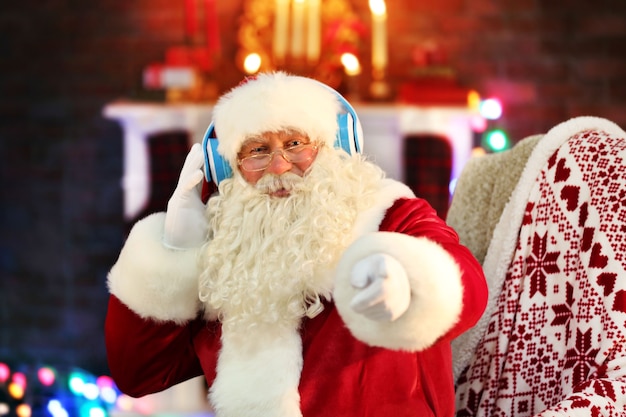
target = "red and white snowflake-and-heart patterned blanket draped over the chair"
x: 555, y: 344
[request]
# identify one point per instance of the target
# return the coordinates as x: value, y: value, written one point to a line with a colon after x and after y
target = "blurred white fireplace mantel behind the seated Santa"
x: 384, y: 126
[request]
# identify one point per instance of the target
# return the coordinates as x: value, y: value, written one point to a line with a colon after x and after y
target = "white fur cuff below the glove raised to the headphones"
x: 152, y: 280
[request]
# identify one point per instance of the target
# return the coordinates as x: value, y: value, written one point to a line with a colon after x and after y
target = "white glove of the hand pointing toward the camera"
x: 385, y: 291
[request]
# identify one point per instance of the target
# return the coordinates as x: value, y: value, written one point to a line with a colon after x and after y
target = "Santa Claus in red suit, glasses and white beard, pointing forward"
x: 308, y: 285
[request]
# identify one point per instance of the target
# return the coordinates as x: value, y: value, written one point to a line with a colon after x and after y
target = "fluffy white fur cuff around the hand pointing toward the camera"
x: 436, y: 292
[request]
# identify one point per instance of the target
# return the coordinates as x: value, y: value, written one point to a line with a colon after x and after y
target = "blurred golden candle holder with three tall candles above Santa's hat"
x: 298, y: 36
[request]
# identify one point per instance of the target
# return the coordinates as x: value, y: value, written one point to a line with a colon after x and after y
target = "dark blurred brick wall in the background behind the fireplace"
x: 61, y: 224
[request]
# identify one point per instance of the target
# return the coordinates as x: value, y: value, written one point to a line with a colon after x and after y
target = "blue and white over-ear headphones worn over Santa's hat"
x: 348, y: 138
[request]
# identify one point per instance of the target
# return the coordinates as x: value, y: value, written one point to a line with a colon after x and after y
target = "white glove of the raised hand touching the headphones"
x: 185, y: 221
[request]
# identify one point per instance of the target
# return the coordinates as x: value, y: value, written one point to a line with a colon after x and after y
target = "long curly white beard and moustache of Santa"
x: 269, y: 257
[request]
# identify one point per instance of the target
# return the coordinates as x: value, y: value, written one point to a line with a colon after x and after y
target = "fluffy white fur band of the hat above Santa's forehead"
x: 271, y: 102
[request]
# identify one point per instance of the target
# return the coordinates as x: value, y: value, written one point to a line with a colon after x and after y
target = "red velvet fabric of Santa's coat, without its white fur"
x: 341, y: 375
